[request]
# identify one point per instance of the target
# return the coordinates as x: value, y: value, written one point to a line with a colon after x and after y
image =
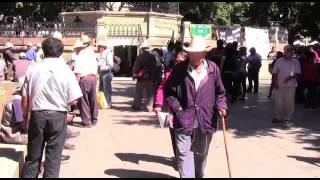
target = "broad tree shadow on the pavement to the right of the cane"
x: 252, y: 118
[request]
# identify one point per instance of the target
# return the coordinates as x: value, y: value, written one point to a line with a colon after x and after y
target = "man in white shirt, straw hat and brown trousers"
x: 86, y: 70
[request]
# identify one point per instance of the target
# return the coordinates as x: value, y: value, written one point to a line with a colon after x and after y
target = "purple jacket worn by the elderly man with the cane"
x: 180, y: 93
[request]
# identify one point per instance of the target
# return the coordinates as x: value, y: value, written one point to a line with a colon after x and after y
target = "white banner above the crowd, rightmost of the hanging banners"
x: 259, y: 39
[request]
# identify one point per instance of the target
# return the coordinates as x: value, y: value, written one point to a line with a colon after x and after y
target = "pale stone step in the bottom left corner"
x: 11, y: 160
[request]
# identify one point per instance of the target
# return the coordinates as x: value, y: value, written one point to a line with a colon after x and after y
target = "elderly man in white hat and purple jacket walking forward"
x: 195, y: 96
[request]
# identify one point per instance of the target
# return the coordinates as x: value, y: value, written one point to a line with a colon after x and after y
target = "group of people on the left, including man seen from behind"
x: 52, y: 89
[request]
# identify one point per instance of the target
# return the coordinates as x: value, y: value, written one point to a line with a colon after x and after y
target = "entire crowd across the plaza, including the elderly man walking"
x: 191, y: 83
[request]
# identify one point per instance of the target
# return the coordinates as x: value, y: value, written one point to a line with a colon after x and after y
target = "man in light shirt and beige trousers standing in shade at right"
x: 284, y: 76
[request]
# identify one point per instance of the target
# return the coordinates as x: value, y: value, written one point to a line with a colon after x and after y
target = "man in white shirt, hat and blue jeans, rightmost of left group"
x: 105, y: 75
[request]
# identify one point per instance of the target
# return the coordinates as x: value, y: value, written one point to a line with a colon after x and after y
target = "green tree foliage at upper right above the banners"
x: 298, y: 17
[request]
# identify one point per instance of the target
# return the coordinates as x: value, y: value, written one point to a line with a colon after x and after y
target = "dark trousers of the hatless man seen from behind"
x: 45, y: 127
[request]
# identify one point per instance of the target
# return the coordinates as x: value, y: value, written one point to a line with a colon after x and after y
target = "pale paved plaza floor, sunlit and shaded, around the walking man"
x: 127, y: 143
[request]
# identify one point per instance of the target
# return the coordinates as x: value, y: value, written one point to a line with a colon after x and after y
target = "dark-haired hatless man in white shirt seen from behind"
x: 48, y: 90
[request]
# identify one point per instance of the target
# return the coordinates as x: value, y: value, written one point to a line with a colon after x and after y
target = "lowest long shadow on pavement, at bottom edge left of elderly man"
x: 125, y: 173
